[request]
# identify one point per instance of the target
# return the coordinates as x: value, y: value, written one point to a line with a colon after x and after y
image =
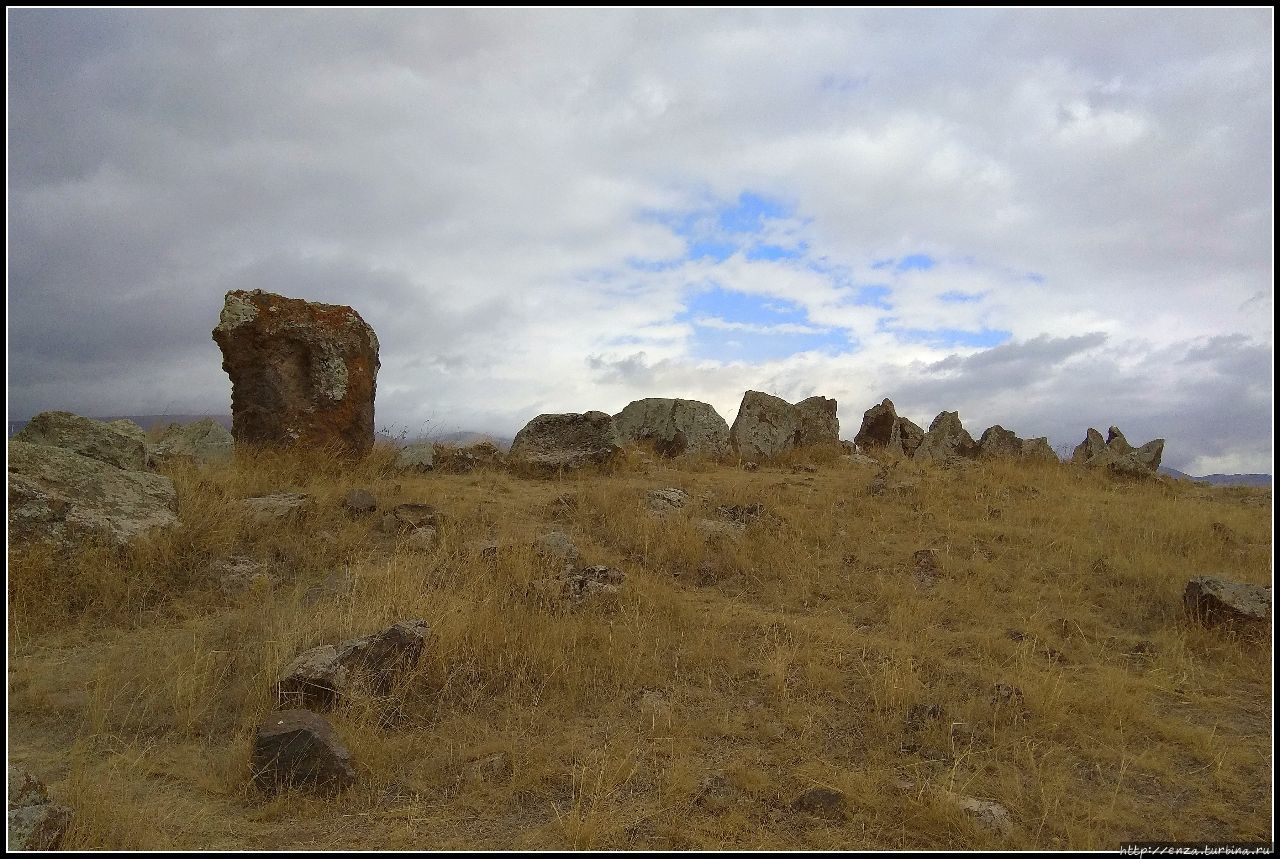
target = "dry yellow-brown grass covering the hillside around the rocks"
x: 733, y: 675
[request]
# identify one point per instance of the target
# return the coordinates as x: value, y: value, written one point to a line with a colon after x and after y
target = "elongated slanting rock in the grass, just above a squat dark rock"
x: 319, y: 678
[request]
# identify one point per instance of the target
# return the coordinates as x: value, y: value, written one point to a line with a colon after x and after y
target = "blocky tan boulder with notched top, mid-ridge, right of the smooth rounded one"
x: 767, y: 426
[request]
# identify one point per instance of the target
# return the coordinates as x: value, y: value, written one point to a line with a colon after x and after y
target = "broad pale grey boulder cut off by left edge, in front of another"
x: 63, y: 497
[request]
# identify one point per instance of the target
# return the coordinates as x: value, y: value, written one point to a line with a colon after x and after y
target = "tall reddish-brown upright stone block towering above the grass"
x: 301, y: 372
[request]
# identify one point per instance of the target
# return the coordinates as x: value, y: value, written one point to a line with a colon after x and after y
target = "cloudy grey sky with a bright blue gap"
x: 1044, y: 220
